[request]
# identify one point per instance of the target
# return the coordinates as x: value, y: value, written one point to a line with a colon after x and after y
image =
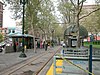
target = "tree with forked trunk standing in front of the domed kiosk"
x: 77, y: 6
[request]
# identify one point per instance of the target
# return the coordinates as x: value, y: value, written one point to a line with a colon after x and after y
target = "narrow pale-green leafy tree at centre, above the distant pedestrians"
x: 46, y: 17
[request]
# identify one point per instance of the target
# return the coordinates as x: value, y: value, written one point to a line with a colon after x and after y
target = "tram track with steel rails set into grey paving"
x: 16, y: 68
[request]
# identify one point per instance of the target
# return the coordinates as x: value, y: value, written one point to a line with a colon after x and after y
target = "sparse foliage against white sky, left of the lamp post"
x: 15, y: 8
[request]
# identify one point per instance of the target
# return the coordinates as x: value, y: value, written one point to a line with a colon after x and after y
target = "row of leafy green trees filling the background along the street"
x: 40, y: 17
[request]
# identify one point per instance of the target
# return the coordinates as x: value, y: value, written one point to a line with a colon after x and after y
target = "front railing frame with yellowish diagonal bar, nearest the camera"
x: 63, y: 66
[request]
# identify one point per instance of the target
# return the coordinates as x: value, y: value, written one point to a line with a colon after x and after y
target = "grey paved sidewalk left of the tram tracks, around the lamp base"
x: 9, y: 59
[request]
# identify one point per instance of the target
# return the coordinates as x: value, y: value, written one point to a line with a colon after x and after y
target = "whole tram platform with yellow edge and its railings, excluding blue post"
x: 74, y: 62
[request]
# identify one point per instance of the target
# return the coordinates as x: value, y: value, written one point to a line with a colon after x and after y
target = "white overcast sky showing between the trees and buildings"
x: 9, y: 22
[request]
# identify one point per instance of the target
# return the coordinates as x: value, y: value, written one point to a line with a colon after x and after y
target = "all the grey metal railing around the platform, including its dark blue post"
x: 82, y: 54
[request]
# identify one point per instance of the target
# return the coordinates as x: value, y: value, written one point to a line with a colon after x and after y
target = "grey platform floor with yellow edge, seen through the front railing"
x: 64, y: 68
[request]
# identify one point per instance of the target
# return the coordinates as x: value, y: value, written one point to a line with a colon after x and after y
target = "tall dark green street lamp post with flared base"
x: 23, y: 2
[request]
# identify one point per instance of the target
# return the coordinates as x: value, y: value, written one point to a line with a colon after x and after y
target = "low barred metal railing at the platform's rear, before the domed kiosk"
x: 75, y: 52
